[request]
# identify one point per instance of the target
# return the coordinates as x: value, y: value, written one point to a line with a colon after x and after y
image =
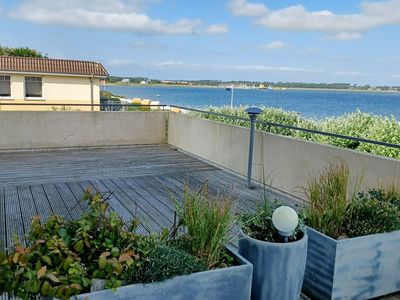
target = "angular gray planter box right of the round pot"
x: 357, y: 268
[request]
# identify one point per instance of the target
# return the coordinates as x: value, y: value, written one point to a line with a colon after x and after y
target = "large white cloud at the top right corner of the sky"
x: 337, y: 26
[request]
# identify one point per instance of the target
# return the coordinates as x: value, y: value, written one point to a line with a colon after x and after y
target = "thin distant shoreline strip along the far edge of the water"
x: 242, y: 88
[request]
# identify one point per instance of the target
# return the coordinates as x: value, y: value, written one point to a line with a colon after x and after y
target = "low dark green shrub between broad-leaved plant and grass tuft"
x: 165, y: 262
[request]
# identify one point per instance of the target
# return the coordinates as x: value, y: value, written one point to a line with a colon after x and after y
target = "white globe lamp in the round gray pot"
x: 285, y: 220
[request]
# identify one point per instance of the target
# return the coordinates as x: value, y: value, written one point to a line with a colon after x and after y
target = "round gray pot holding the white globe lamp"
x: 278, y: 268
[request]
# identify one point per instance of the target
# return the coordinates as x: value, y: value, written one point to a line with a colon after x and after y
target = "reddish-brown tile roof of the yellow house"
x: 48, y: 65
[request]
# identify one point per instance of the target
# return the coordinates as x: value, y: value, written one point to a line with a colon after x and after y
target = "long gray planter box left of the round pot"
x: 226, y: 283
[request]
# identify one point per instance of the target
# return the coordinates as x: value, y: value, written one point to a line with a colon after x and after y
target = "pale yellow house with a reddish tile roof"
x: 50, y: 82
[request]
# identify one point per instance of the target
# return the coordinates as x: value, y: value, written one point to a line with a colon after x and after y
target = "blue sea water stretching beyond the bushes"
x: 316, y: 104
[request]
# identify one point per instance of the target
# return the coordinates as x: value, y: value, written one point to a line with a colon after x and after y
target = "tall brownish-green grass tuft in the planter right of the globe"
x: 327, y: 196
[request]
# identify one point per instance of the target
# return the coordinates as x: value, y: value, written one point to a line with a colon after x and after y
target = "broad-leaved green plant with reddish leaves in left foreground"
x: 62, y: 257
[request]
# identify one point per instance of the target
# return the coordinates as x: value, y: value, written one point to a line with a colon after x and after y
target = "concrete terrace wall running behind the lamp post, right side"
x: 287, y: 162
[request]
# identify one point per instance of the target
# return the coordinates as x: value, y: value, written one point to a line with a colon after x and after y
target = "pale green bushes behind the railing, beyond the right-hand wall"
x: 356, y: 124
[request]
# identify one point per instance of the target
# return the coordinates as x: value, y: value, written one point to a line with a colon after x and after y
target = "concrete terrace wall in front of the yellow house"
x: 32, y: 130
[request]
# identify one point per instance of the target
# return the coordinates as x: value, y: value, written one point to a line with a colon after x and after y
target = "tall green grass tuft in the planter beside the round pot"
x: 207, y: 222
